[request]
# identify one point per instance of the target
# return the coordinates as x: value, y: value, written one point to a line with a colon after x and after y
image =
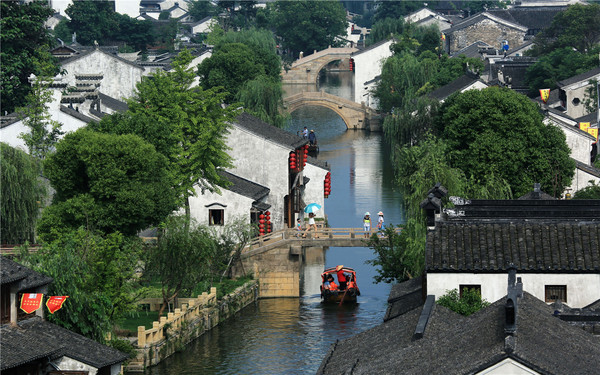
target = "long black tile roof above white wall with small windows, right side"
x: 558, y: 247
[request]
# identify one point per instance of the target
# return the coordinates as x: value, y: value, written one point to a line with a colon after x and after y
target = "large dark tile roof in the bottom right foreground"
x: 454, y: 344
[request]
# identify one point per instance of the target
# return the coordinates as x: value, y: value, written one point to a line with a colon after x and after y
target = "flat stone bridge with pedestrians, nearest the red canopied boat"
x: 276, y: 259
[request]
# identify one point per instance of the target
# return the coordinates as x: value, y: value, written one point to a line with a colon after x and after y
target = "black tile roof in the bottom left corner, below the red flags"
x: 34, y: 338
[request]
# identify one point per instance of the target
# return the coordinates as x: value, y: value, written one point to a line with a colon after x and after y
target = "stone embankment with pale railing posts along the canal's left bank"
x: 187, y: 323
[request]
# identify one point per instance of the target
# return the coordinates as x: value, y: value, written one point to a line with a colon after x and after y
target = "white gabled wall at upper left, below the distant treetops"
x: 119, y: 78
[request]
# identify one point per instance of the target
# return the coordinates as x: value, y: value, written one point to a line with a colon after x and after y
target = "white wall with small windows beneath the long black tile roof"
x: 582, y: 289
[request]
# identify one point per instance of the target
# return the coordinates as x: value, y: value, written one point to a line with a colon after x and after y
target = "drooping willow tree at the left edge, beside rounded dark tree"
x: 21, y: 195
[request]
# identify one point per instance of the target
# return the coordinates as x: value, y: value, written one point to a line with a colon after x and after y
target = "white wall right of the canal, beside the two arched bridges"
x: 368, y: 66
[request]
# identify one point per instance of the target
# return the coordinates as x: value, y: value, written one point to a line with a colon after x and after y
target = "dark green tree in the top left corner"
x: 25, y: 49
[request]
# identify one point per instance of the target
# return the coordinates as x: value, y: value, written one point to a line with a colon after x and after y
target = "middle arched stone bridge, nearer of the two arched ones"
x: 356, y: 116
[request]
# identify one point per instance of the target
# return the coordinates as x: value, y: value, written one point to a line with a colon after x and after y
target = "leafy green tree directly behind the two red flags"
x: 96, y: 272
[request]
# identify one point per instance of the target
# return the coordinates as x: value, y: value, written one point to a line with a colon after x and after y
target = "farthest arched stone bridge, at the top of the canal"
x: 306, y: 70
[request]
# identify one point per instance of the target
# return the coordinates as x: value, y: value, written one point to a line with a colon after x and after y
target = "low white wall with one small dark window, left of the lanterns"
x: 238, y: 206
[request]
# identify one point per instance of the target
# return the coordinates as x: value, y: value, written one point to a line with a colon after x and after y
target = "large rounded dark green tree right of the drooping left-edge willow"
x: 107, y: 183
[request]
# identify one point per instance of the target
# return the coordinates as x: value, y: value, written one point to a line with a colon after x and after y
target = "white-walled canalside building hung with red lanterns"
x: 262, y: 179
